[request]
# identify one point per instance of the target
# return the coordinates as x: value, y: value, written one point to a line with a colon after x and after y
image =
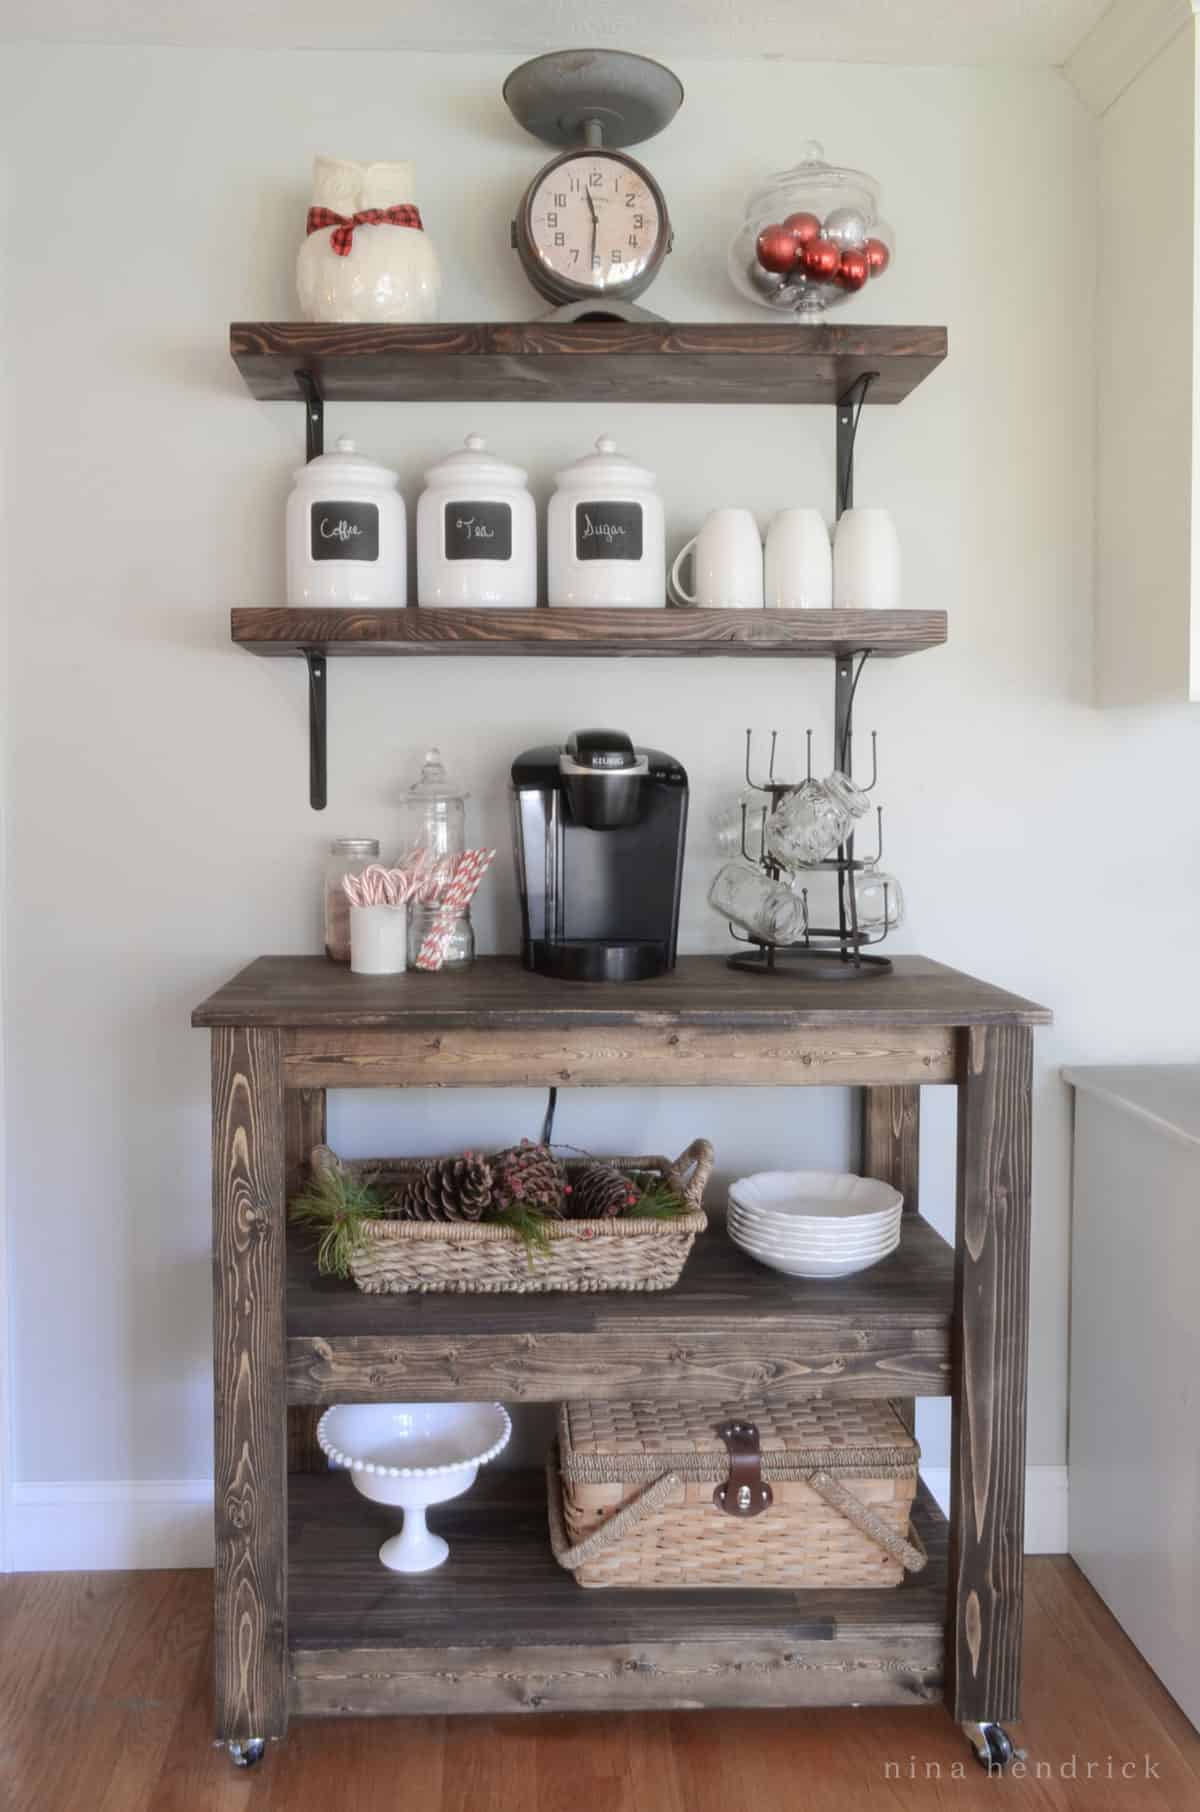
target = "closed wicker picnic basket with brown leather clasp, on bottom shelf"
x: 757, y: 1494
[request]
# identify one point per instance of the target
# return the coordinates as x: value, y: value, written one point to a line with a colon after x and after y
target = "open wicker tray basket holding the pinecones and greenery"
x: 460, y: 1257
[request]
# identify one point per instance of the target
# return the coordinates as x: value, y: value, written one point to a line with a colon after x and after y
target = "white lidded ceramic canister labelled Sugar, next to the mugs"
x: 605, y: 534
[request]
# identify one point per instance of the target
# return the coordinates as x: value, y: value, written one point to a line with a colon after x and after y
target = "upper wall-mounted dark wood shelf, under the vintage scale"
x: 539, y: 361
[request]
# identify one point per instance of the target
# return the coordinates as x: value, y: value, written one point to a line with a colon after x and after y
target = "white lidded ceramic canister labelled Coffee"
x: 347, y: 532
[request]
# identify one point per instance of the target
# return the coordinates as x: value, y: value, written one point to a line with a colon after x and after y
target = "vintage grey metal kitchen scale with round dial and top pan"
x: 594, y: 229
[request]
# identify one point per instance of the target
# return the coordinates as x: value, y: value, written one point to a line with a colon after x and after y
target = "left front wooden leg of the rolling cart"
x: 249, y: 1389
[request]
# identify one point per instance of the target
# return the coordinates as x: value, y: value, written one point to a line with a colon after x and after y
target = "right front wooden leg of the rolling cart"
x: 991, y: 1347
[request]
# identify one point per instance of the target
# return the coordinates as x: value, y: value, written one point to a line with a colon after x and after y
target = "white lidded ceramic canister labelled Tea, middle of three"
x: 478, y: 535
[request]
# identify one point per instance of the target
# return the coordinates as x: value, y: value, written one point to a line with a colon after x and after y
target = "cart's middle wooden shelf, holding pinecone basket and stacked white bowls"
x: 726, y: 1331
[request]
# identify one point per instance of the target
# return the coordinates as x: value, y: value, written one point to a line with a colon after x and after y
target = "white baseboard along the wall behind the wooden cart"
x: 168, y: 1523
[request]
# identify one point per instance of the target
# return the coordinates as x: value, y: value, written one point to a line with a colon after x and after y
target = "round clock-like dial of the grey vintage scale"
x: 594, y: 224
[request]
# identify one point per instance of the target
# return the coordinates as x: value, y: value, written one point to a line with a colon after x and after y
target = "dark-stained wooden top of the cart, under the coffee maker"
x: 498, y: 992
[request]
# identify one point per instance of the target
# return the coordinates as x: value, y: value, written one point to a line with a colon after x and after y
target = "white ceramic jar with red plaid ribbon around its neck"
x: 365, y: 256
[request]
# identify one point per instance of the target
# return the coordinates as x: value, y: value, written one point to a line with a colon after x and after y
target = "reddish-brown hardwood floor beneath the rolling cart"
x: 106, y: 1708
